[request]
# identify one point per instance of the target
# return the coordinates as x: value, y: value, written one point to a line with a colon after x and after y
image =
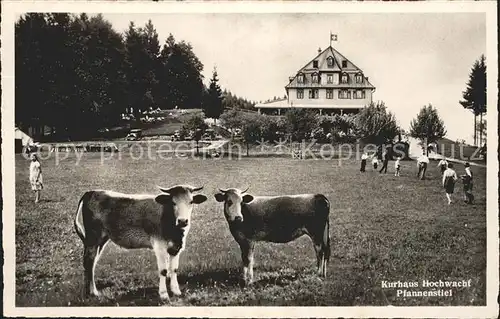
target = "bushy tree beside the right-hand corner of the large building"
x: 375, y: 124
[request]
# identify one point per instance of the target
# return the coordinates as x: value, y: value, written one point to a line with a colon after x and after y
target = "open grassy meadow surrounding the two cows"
x: 382, y: 228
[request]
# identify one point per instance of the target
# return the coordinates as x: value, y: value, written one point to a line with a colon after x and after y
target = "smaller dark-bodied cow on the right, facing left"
x: 277, y: 219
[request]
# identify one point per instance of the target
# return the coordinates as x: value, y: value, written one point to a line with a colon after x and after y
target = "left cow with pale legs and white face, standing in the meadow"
x: 159, y: 222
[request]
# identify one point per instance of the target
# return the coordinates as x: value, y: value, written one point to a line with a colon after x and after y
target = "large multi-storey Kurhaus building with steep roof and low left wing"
x: 329, y: 83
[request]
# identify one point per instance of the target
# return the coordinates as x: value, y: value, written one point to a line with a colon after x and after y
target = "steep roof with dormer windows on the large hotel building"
x: 323, y: 67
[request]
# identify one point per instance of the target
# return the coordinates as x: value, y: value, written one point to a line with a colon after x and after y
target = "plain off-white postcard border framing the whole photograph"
x: 11, y: 11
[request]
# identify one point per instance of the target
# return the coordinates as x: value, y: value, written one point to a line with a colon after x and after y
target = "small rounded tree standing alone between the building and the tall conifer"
x: 428, y: 126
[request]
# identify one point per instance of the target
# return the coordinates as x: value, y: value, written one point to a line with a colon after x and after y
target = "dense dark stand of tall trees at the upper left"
x: 76, y: 74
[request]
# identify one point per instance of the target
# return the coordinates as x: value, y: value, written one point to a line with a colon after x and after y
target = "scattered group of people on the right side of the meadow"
x: 449, y: 176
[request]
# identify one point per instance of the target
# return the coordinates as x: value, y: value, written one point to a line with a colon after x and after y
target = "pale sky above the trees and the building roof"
x: 412, y: 59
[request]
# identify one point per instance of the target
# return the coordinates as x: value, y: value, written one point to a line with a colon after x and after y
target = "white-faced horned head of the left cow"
x: 180, y: 199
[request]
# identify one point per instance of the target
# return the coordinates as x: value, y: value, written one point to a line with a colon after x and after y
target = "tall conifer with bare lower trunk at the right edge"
x: 474, y: 96
